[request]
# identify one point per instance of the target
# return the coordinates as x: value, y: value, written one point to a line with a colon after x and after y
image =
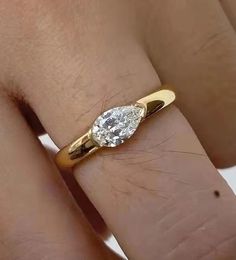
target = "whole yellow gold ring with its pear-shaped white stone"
x: 113, y: 127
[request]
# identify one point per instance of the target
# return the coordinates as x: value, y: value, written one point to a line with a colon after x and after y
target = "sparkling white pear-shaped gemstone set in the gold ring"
x: 116, y: 125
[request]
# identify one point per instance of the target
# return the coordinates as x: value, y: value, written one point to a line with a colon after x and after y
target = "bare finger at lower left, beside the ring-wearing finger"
x: 38, y: 216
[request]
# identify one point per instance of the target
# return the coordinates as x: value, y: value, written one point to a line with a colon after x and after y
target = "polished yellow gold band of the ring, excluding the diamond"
x: 71, y: 154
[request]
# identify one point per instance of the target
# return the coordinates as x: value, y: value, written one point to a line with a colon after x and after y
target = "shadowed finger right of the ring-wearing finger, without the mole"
x: 195, y: 48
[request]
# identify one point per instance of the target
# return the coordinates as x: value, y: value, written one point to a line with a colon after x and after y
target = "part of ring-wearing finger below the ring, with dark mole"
x: 159, y: 194
